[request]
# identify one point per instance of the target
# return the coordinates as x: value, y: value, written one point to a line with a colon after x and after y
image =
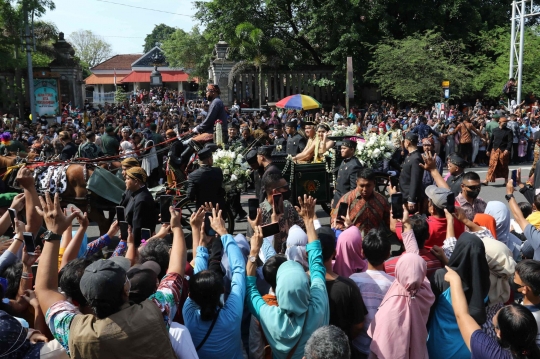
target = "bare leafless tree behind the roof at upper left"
x: 90, y: 48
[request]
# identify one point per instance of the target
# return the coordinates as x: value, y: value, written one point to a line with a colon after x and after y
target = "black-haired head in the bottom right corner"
x: 518, y: 331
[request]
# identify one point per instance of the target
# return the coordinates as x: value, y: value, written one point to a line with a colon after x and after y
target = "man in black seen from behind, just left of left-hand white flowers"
x: 205, y: 183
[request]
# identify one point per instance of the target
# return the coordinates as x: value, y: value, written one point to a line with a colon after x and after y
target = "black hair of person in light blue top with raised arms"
x: 205, y: 289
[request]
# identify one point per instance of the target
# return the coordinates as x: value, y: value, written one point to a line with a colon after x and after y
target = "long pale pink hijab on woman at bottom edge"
x: 403, y: 314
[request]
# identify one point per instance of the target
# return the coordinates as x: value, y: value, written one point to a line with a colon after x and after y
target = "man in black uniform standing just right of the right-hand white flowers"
x: 410, y: 179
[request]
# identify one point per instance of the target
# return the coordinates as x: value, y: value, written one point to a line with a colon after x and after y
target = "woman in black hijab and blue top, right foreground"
x: 469, y: 261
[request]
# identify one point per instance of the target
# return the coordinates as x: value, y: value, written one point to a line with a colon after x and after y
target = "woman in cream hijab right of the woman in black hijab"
x: 501, y: 267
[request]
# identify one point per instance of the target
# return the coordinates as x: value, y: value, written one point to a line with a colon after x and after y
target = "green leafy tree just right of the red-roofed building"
x: 189, y: 50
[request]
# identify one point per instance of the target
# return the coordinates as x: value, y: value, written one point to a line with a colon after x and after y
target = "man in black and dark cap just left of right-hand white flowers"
x: 346, y: 174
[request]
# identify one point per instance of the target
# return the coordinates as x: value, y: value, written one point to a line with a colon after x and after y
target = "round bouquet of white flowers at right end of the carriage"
x: 374, y: 149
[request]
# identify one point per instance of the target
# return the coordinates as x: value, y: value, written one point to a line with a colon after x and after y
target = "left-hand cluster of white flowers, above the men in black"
x: 235, y: 169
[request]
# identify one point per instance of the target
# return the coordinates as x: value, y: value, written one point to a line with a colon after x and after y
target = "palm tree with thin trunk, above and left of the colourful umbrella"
x: 253, y: 46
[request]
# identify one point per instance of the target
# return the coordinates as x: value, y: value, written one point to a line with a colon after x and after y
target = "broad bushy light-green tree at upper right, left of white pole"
x: 412, y: 69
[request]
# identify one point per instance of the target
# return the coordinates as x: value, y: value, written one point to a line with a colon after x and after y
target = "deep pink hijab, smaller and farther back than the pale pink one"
x: 349, y: 259
